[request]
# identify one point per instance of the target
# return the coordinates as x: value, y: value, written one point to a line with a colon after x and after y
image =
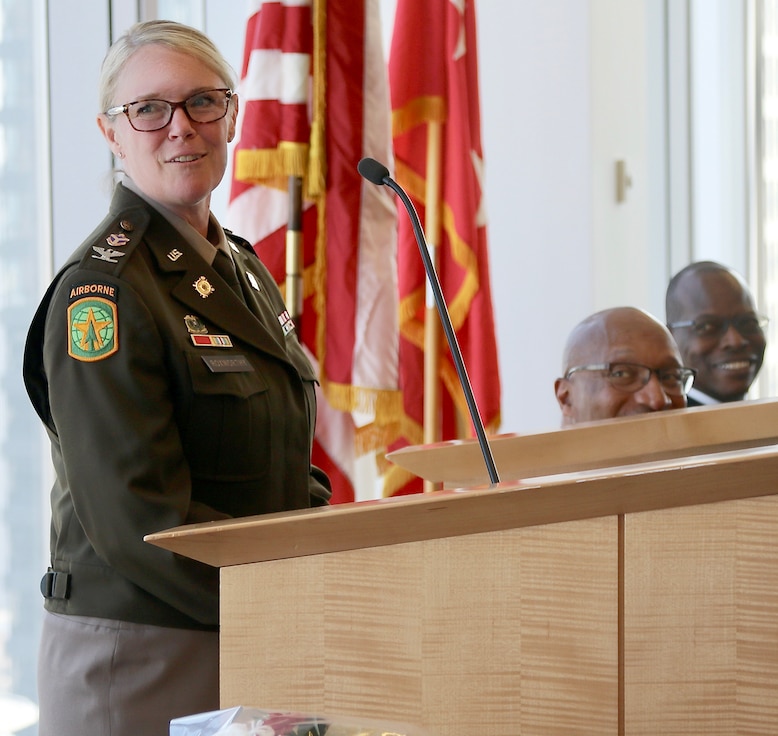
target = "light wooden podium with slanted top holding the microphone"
x: 638, y: 597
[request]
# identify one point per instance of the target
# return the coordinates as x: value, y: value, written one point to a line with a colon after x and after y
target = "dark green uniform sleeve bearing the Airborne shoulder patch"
x: 112, y: 409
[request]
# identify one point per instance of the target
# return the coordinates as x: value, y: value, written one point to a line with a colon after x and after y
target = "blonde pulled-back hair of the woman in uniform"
x: 175, y: 36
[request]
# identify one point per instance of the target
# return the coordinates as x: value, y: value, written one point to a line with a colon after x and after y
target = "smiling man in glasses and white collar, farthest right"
x: 710, y: 311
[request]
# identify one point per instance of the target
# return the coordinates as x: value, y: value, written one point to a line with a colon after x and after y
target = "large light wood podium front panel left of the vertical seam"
x: 489, y: 634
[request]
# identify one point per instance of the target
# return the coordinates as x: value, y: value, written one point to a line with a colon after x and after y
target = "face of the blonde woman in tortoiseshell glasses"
x: 181, y: 164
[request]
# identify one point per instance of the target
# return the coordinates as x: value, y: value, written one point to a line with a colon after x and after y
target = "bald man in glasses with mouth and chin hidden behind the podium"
x: 620, y: 362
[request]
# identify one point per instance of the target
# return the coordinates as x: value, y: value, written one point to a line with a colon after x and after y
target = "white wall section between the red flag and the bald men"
x: 534, y: 63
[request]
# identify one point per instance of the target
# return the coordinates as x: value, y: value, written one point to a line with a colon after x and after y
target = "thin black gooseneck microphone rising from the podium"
x: 377, y: 173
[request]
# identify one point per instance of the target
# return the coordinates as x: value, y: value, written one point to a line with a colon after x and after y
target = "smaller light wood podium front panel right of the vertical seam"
x: 701, y: 619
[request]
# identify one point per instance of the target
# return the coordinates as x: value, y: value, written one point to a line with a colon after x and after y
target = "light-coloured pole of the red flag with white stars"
x: 432, y: 419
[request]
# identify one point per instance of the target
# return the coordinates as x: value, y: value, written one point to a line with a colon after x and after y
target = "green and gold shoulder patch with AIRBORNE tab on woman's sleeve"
x: 93, y: 325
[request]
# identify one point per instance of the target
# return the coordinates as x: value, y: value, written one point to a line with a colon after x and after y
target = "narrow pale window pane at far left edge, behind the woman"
x: 25, y: 265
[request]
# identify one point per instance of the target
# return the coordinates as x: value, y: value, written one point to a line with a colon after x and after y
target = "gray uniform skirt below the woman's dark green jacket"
x: 99, y: 677
